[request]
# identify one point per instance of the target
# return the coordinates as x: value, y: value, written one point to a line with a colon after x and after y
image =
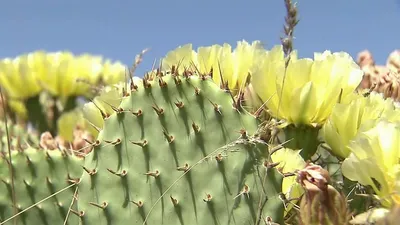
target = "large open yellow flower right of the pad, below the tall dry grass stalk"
x: 307, y: 92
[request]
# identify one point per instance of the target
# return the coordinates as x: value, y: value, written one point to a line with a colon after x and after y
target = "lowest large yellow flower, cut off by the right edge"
x: 374, y: 160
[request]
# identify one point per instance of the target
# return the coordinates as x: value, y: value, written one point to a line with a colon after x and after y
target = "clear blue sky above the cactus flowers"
x: 121, y: 29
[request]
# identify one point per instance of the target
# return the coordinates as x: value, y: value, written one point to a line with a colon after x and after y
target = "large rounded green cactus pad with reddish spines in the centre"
x: 177, y: 151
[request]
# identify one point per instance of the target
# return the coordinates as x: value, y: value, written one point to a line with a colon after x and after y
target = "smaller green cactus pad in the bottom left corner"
x: 43, y: 184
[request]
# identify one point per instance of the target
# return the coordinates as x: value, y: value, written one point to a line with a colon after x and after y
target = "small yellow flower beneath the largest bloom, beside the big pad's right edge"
x: 289, y: 161
